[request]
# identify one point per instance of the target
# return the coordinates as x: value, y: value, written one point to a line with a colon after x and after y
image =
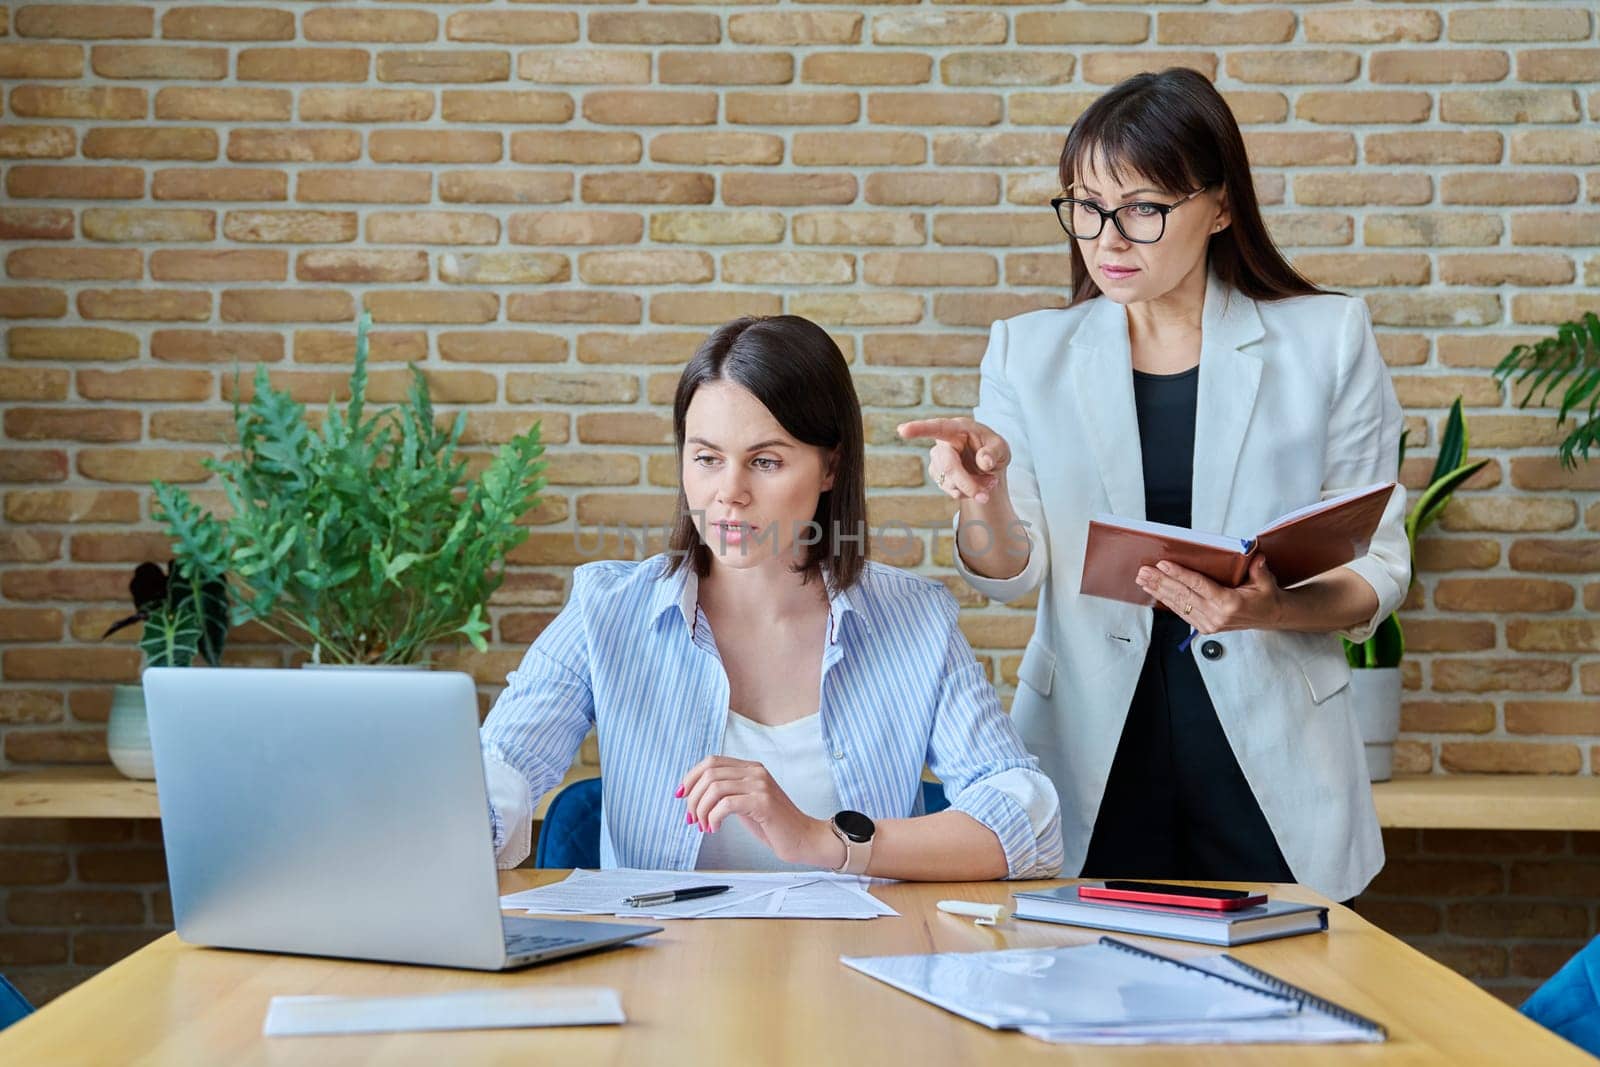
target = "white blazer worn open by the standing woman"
x: 1294, y: 406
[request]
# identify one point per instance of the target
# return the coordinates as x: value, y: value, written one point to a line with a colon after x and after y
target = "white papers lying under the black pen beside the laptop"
x: 753, y: 895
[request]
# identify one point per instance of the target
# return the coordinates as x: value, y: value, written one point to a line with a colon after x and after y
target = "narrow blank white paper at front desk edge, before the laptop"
x: 466, y: 1010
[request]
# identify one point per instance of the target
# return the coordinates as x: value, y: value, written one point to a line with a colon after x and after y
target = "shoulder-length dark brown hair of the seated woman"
x: 796, y: 370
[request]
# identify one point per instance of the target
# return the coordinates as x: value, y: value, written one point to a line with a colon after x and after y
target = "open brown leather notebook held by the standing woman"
x: 1302, y: 545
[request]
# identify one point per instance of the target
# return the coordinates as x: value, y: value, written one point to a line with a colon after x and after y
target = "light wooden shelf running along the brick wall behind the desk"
x: 1458, y: 802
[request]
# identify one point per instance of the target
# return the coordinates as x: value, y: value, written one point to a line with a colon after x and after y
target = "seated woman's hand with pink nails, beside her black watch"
x: 719, y: 788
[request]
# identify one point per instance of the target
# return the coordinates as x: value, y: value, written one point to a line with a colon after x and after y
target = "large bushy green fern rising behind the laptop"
x: 361, y: 541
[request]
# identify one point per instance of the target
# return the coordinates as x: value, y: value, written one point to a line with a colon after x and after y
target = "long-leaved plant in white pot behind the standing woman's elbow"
x: 1375, y: 684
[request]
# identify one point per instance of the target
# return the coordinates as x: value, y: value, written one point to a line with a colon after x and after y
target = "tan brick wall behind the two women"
x: 548, y: 206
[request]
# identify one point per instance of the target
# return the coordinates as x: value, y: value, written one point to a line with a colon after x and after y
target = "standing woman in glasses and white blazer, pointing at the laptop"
x: 1194, y: 380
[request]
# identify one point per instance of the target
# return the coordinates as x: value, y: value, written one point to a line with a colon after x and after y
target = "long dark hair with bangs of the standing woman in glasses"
x: 1175, y: 129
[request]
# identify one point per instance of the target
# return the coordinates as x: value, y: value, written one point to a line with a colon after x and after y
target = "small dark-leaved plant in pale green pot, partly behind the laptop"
x: 183, y: 617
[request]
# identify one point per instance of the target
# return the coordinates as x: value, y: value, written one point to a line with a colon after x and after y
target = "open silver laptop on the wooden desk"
x: 338, y: 813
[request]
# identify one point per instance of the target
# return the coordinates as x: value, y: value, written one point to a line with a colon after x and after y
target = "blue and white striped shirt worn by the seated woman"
x: 633, y: 657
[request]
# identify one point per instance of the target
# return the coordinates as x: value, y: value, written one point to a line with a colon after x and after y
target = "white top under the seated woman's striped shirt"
x: 798, y: 761
